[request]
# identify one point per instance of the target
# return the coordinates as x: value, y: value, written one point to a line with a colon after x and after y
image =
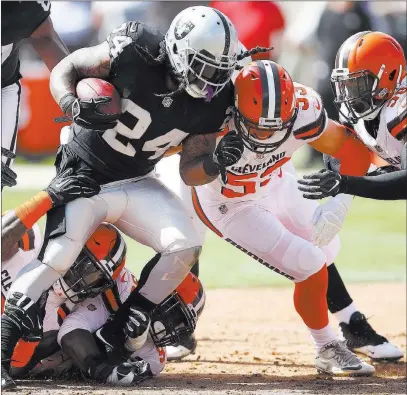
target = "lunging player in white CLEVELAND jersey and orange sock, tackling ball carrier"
x: 259, y: 209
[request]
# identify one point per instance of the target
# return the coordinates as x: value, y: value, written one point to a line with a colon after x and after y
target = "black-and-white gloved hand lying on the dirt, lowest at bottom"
x: 129, y: 373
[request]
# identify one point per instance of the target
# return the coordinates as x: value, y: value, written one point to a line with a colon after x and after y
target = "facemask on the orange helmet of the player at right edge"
x: 358, y: 93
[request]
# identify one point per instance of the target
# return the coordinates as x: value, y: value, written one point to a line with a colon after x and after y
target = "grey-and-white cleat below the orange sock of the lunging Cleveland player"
x: 337, y: 360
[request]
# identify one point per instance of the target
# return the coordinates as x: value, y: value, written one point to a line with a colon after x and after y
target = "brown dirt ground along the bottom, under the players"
x: 252, y: 342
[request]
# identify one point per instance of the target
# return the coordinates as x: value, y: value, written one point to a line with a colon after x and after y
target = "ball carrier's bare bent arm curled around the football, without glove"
x: 83, y: 63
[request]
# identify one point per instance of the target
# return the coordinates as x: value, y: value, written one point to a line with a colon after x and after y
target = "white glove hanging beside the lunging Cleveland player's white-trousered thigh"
x: 328, y: 220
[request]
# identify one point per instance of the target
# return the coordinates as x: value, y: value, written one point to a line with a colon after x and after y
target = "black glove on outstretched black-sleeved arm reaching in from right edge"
x: 321, y: 185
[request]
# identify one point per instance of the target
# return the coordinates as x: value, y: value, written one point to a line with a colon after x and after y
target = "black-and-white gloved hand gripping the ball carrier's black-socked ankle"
x: 136, y: 328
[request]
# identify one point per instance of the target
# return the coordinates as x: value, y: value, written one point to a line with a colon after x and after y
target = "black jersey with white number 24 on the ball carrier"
x: 149, y: 124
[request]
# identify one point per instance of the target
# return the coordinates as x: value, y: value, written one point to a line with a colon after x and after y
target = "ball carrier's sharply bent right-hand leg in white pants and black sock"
x: 155, y: 217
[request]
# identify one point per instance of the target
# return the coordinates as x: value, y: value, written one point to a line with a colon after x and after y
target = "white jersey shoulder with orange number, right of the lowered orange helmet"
x: 311, y: 118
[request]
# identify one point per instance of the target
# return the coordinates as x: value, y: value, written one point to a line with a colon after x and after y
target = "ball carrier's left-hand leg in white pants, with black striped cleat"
x: 66, y: 232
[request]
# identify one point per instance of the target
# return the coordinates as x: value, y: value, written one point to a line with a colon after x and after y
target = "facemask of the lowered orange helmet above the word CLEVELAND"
x: 279, y: 132
